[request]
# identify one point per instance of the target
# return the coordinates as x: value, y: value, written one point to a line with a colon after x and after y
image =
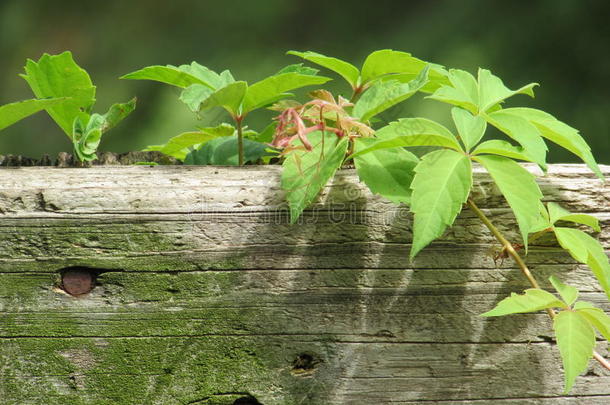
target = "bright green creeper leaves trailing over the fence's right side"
x: 437, y: 184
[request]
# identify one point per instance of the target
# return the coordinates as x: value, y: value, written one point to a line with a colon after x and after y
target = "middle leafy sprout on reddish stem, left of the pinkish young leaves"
x: 203, y: 89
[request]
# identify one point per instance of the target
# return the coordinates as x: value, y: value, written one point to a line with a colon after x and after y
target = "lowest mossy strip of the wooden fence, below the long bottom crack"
x: 182, y: 369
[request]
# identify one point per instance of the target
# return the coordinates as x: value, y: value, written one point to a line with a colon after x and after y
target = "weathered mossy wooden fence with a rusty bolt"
x: 203, y: 294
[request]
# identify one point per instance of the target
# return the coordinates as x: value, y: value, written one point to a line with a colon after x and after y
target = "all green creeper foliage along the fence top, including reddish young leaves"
x: 314, y: 139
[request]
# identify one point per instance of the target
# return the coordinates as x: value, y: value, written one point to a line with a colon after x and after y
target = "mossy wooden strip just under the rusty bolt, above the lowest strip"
x: 353, y: 305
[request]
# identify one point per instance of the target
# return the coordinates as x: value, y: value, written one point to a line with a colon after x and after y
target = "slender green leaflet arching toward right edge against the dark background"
x: 559, y: 133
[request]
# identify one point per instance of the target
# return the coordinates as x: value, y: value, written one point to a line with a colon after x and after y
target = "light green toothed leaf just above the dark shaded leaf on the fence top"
x: 179, y: 145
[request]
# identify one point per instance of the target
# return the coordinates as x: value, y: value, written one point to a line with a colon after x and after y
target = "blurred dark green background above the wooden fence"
x: 562, y: 44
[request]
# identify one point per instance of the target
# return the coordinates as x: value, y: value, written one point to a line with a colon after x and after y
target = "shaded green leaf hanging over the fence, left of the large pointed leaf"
x: 387, y: 172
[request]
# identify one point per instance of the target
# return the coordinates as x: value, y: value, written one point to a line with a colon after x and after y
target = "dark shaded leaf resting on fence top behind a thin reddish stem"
x: 222, y: 151
